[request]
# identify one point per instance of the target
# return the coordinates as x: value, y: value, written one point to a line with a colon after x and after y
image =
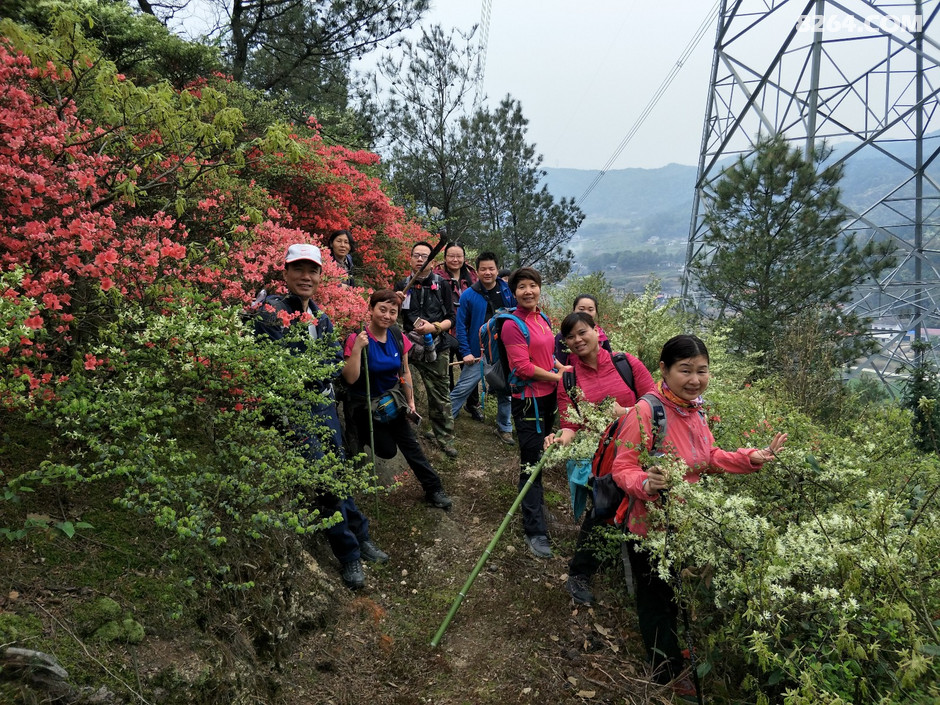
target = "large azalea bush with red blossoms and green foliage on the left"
x: 137, y: 225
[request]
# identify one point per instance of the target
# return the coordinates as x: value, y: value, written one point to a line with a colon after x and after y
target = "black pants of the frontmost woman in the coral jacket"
x: 657, y: 613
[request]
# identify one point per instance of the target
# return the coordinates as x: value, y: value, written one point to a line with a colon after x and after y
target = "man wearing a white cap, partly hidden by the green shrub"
x: 349, y: 539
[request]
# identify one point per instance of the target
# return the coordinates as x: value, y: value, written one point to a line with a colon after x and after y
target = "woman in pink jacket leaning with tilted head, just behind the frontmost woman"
x: 595, y: 376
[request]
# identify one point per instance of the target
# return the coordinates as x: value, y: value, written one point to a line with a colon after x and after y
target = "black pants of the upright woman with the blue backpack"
x: 533, y: 417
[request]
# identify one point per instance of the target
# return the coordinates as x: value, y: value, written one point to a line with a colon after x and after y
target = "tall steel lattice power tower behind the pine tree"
x: 865, y: 77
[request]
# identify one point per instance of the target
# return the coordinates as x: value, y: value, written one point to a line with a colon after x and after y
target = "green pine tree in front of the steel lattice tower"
x: 777, y: 250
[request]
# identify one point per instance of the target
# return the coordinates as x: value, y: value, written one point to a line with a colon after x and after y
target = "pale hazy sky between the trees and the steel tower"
x: 584, y: 71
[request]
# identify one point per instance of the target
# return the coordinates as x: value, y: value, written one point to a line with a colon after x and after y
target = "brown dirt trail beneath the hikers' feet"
x: 517, y: 637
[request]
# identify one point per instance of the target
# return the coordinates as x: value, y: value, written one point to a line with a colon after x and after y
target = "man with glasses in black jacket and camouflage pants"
x: 427, y: 309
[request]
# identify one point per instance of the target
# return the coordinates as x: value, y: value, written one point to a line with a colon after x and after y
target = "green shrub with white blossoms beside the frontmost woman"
x: 815, y: 579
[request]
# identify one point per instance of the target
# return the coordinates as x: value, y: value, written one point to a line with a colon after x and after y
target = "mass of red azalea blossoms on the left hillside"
x: 77, y: 244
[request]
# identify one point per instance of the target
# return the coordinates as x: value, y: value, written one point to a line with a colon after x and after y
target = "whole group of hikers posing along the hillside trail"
x: 442, y: 311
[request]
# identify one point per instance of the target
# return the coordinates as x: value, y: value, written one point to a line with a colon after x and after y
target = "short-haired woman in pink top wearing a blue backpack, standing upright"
x: 531, y: 358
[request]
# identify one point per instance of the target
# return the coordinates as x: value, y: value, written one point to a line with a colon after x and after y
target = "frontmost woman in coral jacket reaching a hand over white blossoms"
x: 684, y: 367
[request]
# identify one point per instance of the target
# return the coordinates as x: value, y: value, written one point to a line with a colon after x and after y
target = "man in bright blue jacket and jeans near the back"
x: 477, y: 306
